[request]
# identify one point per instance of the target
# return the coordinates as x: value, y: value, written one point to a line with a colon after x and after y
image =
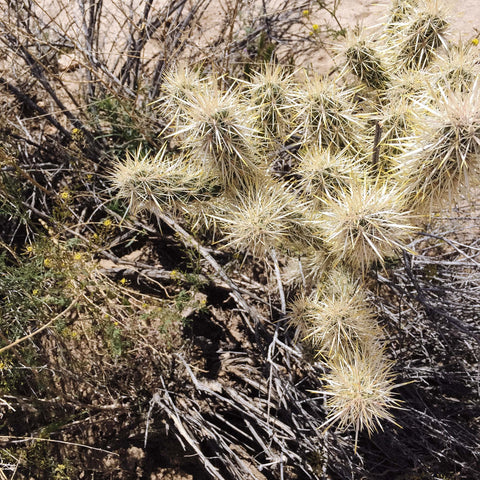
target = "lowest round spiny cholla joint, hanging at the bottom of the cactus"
x: 360, y: 391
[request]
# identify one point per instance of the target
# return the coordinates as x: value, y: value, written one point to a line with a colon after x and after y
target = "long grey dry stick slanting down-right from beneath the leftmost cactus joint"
x: 190, y: 241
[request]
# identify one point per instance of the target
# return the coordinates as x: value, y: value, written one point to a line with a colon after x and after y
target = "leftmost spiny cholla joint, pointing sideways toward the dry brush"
x: 151, y: 182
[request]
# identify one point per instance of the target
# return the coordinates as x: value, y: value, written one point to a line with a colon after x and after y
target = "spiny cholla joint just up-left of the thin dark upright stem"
x: 326, y: 114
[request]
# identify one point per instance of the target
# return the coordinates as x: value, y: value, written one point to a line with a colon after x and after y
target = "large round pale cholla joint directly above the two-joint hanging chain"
x: 365, y: 223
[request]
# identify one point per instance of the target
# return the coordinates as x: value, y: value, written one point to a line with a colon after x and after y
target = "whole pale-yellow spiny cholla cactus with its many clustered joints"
x: 354, y: 194
